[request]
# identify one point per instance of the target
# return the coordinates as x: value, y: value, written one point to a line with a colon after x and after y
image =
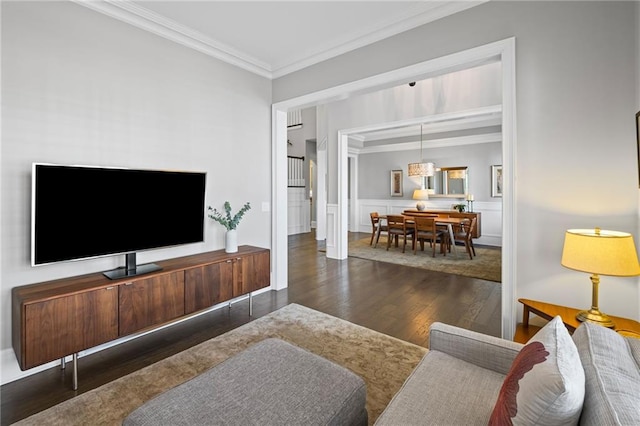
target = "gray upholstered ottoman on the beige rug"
x: 270, y: 383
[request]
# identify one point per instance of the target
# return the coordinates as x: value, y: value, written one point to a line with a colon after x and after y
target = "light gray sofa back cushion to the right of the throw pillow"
x: 611, y: 365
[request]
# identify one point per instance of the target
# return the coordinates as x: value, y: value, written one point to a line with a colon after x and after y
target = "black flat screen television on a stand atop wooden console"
x: 81, y: 212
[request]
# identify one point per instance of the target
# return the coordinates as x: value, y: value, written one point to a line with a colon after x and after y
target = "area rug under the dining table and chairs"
x: 486, y: 265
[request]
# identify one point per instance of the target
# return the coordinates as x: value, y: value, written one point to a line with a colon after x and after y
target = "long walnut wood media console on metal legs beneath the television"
x: 55, y: 319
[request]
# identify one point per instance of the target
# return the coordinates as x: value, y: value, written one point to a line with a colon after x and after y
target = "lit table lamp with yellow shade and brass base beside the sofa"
x: 599, y: 252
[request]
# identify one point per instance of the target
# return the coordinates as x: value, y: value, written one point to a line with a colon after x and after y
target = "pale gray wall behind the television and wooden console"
x: 82, y: 88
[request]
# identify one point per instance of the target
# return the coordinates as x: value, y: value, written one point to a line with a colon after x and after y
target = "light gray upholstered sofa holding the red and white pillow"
x: 460, y: 379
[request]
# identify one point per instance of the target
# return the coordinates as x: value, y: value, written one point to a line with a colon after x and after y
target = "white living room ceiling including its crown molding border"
x: 275, y: 38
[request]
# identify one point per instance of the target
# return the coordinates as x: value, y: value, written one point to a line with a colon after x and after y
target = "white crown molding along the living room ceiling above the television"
x: 145, y: 19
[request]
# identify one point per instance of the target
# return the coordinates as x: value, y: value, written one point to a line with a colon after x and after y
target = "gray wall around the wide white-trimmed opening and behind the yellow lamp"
x: 576, y: 162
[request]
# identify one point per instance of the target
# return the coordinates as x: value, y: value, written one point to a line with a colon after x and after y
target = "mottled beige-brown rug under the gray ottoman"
x: 383, y: 362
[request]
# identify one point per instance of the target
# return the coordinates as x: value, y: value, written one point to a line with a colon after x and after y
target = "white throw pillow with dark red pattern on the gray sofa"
x: 545, y: 385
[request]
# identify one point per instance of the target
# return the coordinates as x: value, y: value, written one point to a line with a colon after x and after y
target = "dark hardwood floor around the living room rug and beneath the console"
x: 392, y: 299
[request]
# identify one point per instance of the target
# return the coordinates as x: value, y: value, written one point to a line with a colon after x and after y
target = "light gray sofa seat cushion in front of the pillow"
x: 444, y: 390
